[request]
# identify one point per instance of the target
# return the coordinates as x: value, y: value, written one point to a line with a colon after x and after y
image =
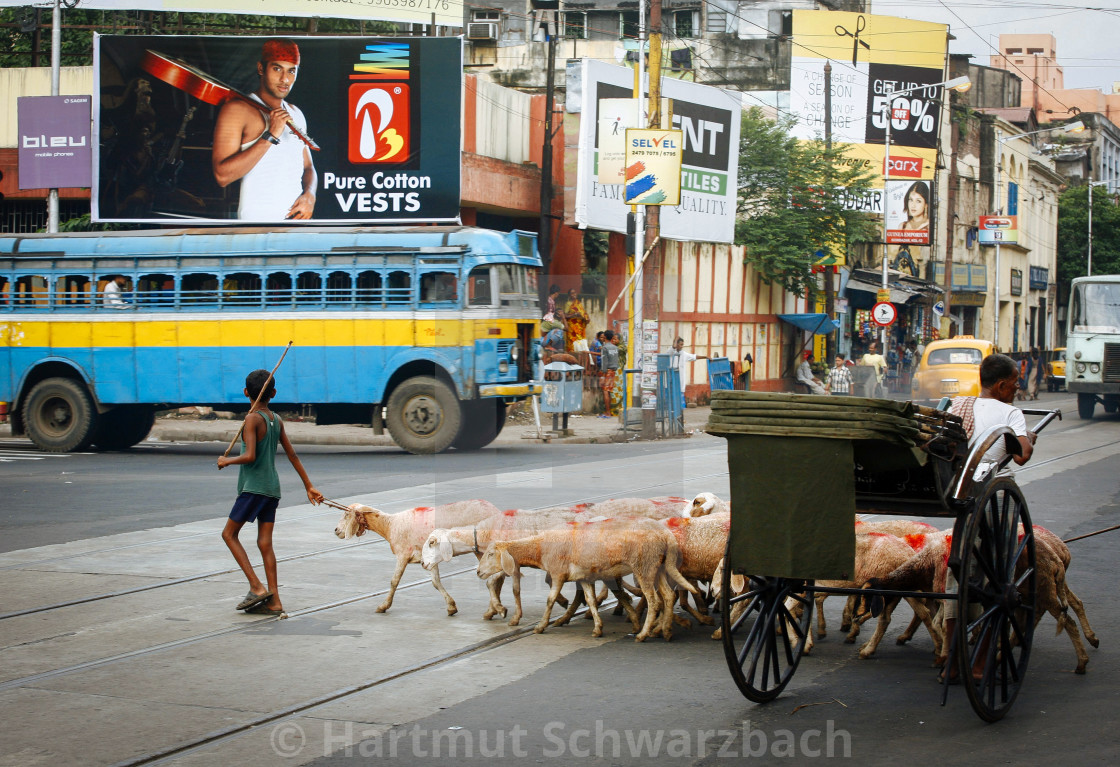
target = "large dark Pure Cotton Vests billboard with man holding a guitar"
x: 367, y: 130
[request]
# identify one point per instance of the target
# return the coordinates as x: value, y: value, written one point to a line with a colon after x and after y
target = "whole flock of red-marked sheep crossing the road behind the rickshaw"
x: 671, y: 548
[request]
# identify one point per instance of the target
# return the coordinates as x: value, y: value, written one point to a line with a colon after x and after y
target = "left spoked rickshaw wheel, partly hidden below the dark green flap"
x: 763, y: 641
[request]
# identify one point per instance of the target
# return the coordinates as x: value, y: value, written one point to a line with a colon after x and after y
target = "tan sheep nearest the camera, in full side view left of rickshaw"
x: 589, y: 551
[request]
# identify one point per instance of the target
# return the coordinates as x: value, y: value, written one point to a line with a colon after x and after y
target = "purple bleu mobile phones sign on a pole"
x: 54, y: 145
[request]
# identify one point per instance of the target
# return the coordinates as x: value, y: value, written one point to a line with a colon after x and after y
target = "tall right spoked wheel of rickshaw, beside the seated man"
x: 997, y: 595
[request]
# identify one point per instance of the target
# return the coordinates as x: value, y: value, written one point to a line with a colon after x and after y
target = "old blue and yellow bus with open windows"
x: 428, y: 332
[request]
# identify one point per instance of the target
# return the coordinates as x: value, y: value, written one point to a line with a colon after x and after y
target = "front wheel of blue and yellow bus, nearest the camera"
x: 424, y: 416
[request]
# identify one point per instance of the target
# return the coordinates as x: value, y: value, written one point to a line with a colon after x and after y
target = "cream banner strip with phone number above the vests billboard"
x: 445, y: 13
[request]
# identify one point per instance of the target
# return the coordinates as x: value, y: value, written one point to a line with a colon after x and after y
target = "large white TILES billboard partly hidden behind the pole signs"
x: 710, y: 121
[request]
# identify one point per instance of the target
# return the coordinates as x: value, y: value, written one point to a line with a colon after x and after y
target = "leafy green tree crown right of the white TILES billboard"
x: 790, y: 201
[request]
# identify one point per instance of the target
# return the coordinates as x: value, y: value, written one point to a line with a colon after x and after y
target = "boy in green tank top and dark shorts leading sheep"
x: 259, y: 492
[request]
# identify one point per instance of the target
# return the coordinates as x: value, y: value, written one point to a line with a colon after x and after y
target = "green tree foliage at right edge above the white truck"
x: 1074, y: 233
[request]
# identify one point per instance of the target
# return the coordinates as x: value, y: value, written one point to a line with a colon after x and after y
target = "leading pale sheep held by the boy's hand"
x: 407, y: 531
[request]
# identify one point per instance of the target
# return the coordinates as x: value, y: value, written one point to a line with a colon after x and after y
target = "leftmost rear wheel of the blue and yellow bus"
x: 60, y: 417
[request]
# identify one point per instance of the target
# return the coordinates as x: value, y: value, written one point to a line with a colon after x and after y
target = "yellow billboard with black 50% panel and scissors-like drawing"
x: 873, y: 58
